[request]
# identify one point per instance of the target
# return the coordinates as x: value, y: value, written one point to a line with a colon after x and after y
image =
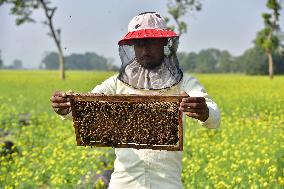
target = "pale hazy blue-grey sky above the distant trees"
x: 97, y: 26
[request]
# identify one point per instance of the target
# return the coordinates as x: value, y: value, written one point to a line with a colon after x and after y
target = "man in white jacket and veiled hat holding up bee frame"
x: 150, y: 67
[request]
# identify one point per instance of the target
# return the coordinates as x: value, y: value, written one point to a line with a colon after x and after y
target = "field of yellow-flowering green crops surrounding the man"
x: 247, y: 151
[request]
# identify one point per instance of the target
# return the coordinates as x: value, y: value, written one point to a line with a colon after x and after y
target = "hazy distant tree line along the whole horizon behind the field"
x: 252, y: 62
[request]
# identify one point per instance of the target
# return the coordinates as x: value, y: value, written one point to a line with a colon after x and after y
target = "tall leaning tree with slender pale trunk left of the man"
x: 23, y: 11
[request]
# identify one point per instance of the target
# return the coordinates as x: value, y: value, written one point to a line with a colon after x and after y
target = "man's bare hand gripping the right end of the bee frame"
x: 194, y: 107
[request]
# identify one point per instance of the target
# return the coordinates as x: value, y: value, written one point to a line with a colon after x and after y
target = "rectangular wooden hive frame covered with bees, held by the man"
x: 127, y: 121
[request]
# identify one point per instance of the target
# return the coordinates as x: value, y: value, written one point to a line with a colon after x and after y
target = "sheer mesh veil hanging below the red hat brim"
x: 163, y: 76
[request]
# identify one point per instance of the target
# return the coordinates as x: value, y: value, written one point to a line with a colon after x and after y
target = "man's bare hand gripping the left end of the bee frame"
x: 60, y: 103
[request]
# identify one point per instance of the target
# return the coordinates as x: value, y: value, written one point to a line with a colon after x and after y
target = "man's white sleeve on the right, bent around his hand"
x: 194, y: 89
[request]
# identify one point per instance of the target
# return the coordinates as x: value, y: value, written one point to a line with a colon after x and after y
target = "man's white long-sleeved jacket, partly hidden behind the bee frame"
x: 147, y: 168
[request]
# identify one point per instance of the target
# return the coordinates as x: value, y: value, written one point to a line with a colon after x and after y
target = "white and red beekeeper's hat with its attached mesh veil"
x: 148, y: 29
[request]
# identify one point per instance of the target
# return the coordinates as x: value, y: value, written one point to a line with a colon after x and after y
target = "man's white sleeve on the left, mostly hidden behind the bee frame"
x: 106, y: 87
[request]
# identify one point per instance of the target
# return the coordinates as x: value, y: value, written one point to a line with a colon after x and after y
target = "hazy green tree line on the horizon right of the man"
x: 253, y: 62
